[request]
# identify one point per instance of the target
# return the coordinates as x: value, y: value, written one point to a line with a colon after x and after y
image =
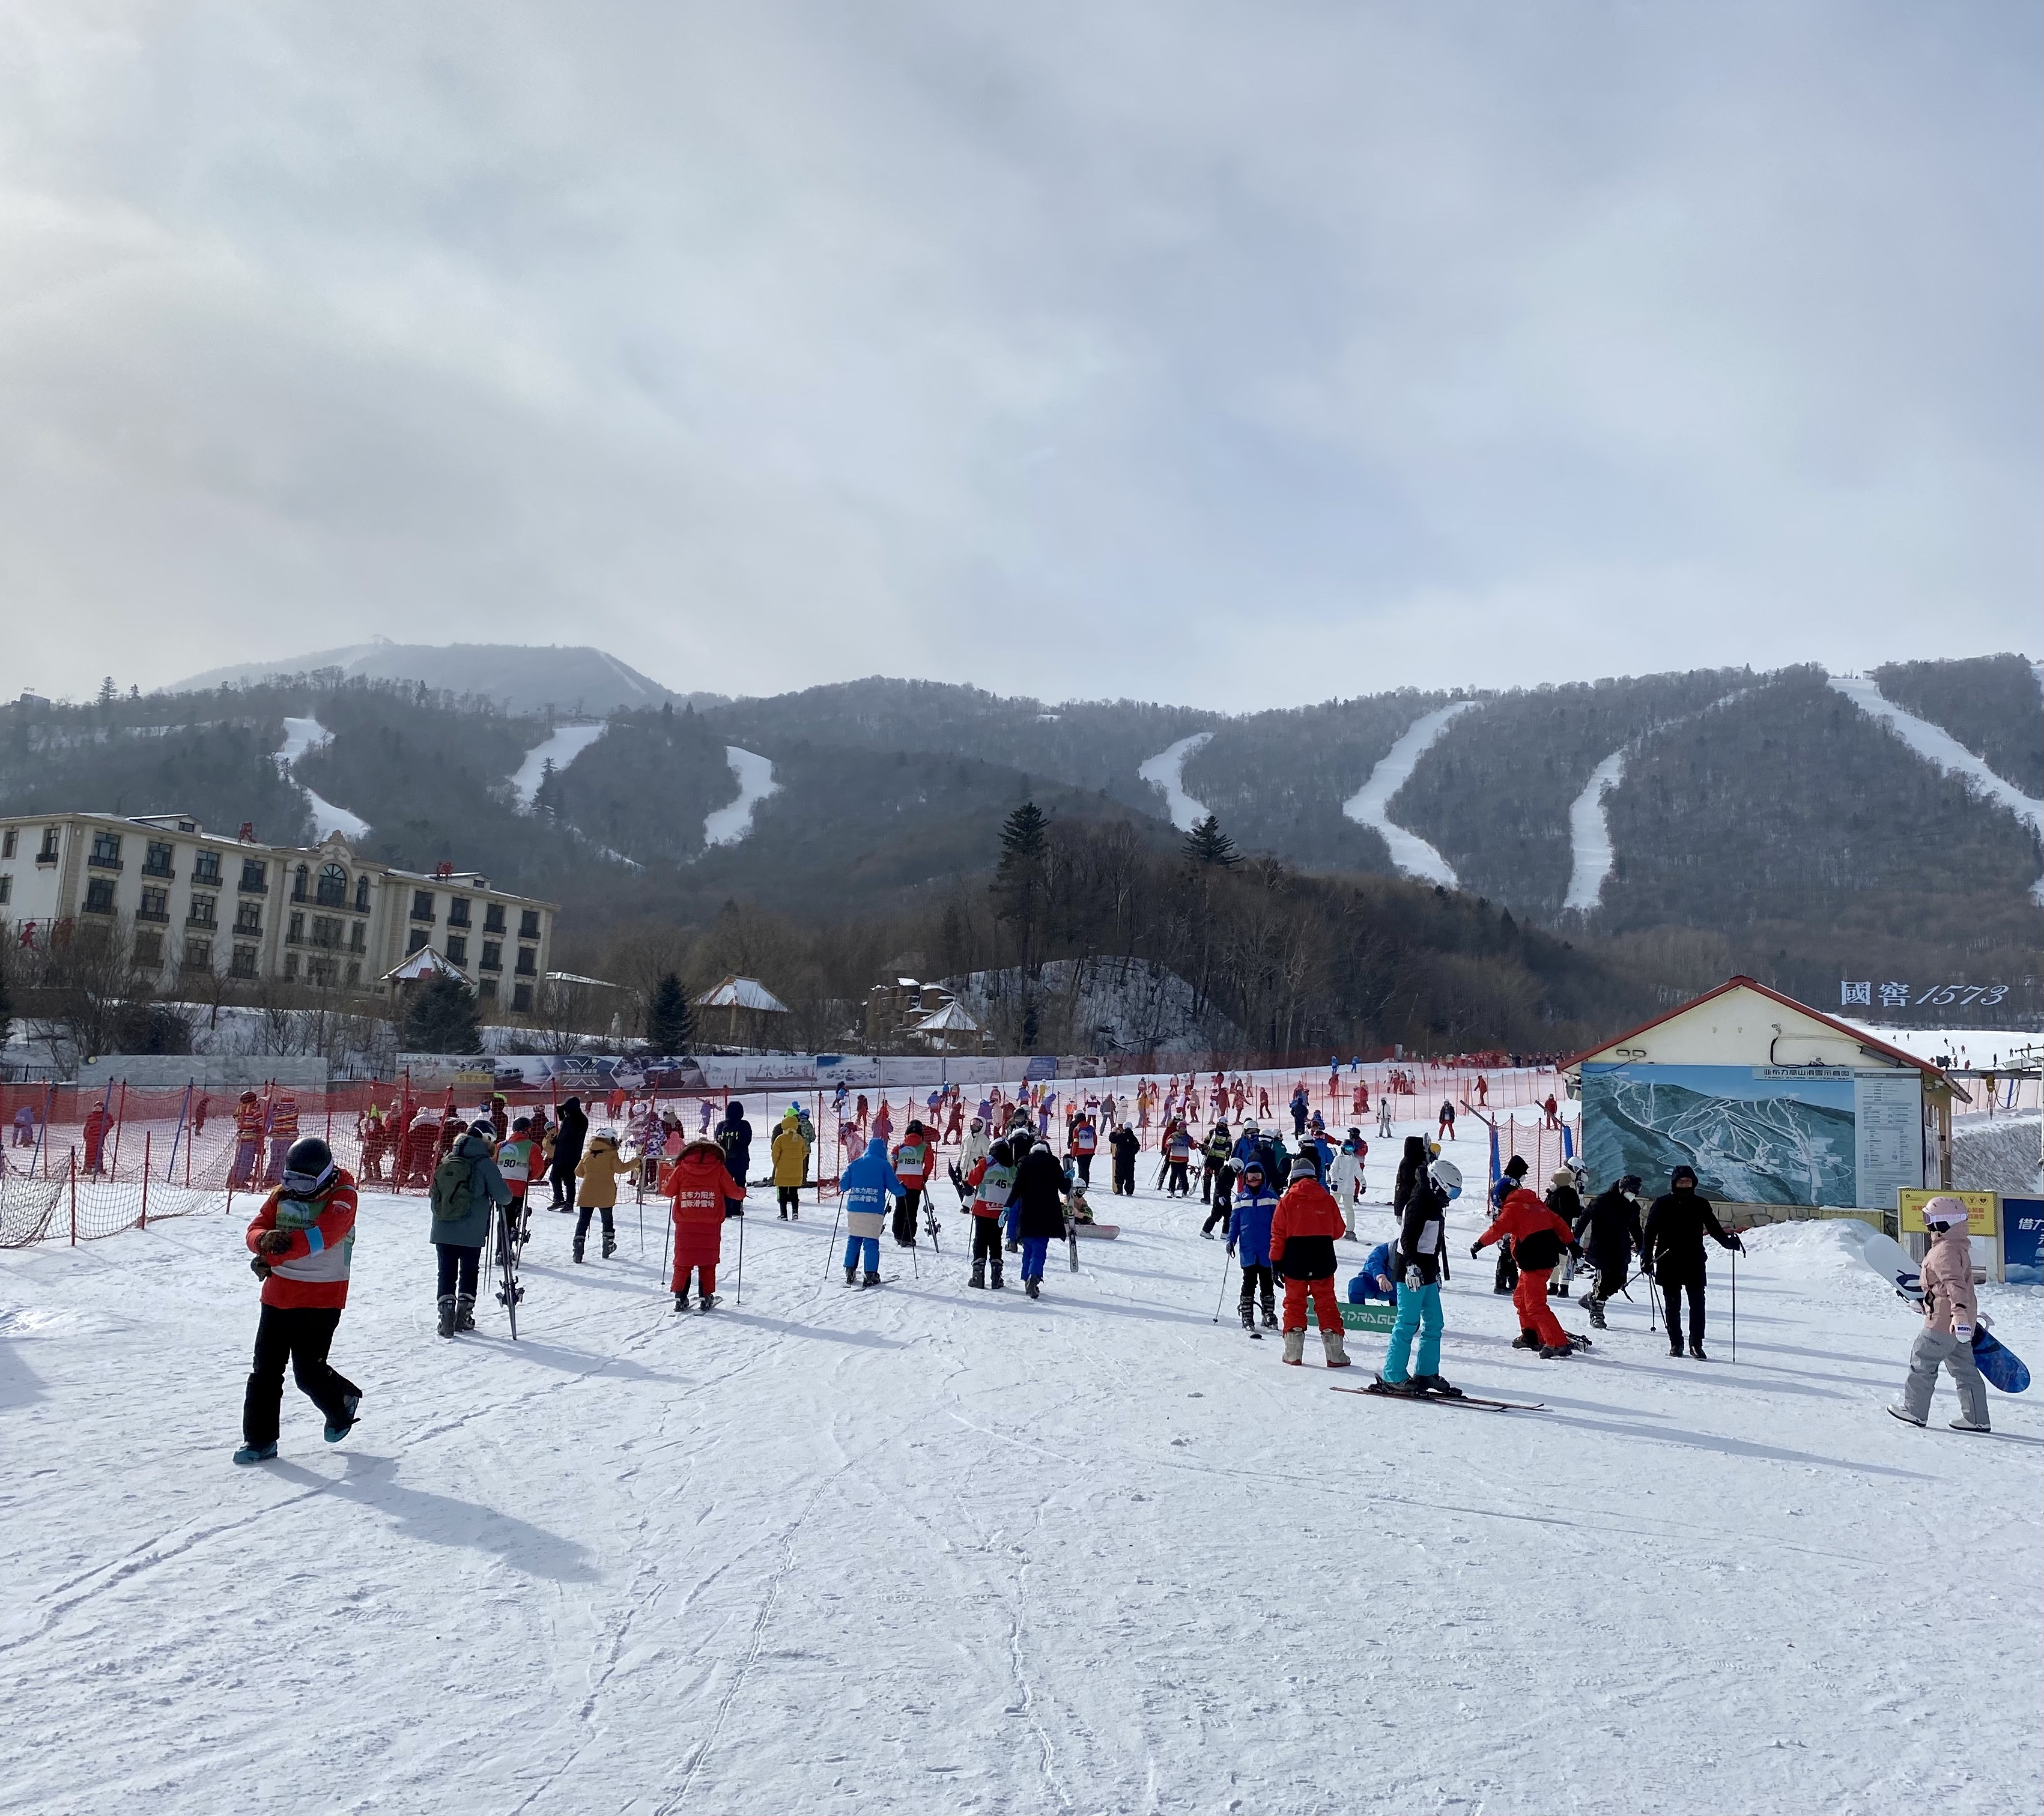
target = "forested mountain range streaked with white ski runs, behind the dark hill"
x: 1706, y: 820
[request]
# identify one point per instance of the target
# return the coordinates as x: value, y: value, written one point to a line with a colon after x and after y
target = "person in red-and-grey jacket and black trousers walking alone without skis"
x: 304, y: 1241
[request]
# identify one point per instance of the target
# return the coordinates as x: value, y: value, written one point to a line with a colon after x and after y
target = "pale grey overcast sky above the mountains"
x: 1227, y: 354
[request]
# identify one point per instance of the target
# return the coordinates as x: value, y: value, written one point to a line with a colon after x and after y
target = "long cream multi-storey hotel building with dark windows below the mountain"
x: 195, y: 902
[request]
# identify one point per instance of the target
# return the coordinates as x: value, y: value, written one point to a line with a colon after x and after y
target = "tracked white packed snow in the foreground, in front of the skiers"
x: 943, y: 1551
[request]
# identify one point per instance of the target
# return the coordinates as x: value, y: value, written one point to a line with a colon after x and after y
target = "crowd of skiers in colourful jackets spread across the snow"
x: 1279, y: 1206
